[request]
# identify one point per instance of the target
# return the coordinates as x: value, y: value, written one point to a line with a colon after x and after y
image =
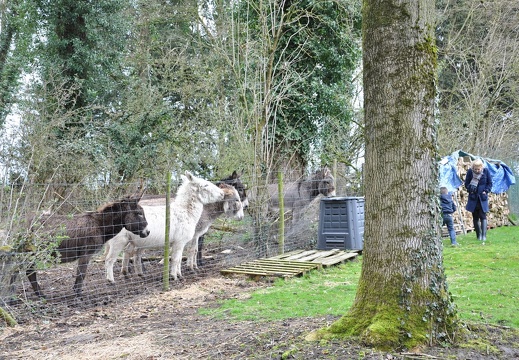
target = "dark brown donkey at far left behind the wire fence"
x: 85, y: 234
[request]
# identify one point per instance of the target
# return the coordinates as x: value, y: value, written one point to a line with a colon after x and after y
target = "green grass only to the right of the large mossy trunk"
x: 484, y: 280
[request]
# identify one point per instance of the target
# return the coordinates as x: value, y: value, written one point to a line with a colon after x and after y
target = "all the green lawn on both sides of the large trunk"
x: 483, y: 280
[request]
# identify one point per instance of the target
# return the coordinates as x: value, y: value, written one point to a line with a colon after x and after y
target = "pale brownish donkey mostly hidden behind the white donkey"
x: 231, y: 206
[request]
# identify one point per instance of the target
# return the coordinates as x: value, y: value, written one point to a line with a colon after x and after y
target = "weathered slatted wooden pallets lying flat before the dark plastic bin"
x: 295, y: 263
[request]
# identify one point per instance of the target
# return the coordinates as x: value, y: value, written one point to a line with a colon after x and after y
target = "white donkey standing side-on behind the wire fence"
x: 186, y: 209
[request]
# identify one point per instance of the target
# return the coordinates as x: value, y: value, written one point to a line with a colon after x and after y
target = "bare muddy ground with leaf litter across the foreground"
x: 132, y: 321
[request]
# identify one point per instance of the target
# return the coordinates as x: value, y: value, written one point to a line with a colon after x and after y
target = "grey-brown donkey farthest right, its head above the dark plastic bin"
x: 300, y: 193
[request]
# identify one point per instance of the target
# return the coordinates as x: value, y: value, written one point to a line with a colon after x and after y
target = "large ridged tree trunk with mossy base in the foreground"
x: 402, y: 299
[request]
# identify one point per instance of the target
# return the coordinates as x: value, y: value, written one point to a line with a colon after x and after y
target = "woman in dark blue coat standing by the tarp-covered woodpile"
x: 478, y: 183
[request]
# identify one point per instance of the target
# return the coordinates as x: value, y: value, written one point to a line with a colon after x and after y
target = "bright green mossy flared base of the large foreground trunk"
x: 382, y: 320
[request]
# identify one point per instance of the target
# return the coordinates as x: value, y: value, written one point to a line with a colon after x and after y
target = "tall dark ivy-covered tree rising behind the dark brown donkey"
x: 76, y: 76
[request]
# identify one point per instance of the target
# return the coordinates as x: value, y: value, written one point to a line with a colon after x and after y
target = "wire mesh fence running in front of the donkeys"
x: 228, y: 242
